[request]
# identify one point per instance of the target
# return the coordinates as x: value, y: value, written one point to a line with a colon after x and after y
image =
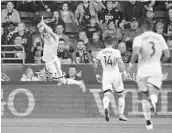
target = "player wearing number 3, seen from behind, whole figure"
x: 149, y: 47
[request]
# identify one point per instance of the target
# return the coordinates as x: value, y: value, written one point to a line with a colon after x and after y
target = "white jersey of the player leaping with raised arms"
x: 50, y: 48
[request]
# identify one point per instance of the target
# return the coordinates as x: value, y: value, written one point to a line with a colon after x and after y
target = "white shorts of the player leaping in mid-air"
x: 54, y: 67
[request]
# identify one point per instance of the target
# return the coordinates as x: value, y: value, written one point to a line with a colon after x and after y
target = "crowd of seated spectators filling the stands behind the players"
x: 81, y: 27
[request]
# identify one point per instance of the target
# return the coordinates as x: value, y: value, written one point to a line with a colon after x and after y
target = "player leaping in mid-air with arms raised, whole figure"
x: 52, y: 62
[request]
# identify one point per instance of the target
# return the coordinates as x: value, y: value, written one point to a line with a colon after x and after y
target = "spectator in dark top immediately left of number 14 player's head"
x: 96, y: 45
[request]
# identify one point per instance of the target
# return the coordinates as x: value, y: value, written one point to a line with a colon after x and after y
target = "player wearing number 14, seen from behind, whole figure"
x: 111, y: 62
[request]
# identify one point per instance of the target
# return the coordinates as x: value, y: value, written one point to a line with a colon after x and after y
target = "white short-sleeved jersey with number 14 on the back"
x: 108, y: 58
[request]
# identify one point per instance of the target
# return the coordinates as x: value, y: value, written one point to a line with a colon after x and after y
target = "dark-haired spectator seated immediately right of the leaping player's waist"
x: 63, y: 54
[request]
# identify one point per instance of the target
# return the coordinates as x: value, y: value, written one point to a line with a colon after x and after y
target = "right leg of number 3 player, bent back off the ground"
x: 154, y: 85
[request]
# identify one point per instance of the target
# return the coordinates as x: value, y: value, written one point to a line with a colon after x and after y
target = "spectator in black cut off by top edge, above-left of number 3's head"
x: 133, y: 10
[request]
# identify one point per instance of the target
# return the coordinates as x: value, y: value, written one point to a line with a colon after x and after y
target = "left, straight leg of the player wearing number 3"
x: 142, y: 84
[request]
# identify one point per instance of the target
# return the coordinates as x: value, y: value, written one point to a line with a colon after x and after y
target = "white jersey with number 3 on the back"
x: 151, y: 46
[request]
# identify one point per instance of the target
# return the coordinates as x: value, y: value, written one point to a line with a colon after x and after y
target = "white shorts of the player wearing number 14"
x: 111, y: 83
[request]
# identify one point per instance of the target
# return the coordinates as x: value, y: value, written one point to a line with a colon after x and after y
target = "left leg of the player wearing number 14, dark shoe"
x: 107, y: 92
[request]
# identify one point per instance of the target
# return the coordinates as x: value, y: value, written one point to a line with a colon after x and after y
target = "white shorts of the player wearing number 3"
x: 143, y: 82
